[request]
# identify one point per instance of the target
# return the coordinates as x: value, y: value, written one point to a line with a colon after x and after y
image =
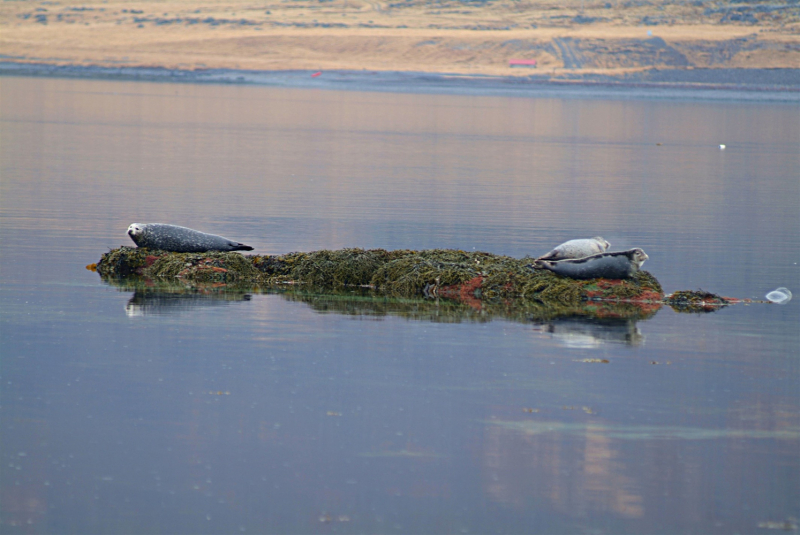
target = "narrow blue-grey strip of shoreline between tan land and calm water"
x: 721, y: 84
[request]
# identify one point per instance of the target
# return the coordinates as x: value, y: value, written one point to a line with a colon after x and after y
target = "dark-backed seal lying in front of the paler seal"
x: 618, y: 265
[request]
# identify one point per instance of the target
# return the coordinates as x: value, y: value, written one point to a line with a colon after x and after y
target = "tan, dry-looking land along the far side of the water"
x: 635, y: 42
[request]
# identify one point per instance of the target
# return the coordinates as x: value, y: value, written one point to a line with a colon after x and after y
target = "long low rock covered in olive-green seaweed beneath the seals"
x: 401, y: 273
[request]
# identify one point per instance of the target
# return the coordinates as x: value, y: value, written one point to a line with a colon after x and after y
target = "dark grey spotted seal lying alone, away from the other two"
x: 180, y: 239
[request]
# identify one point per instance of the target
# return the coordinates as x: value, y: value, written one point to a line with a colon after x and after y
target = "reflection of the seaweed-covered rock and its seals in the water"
x: 584, y: 326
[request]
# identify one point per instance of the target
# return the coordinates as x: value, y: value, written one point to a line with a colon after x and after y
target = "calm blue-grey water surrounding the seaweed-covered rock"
x: 150, y: 412
